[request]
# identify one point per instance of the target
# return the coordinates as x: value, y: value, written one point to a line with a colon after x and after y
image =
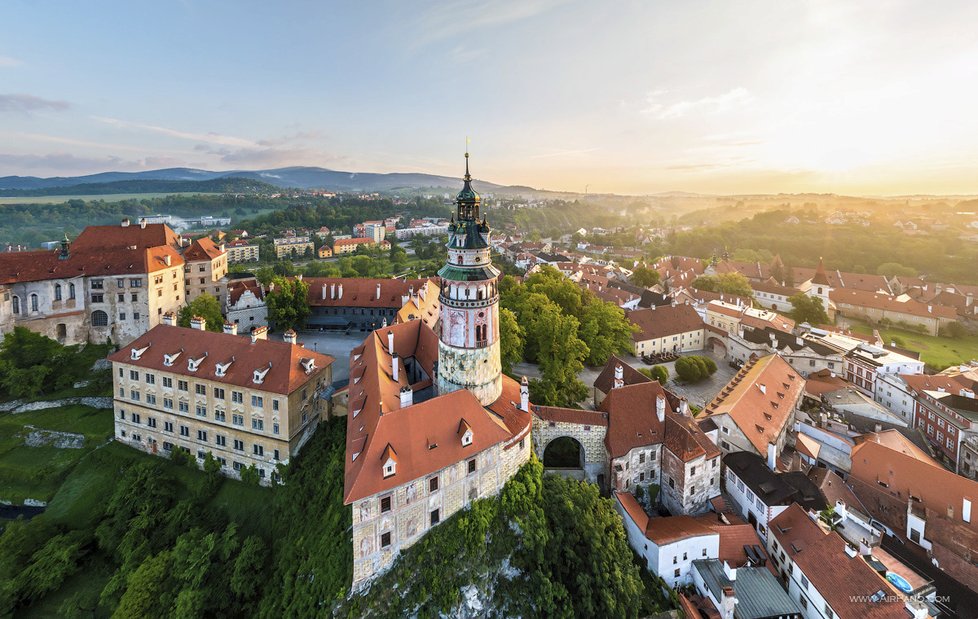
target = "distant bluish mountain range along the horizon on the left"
x: 190, y: 179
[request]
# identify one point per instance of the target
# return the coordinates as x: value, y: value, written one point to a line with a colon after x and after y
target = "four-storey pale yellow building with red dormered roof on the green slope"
x: 248, y: 402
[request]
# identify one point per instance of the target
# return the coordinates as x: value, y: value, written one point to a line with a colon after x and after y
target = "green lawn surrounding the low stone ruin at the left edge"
x: 37, y: 472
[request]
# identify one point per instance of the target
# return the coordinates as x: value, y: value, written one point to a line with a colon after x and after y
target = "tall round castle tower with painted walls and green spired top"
x: 468, y: 347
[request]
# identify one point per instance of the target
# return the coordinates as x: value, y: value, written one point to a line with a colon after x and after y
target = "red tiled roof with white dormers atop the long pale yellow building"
x: 284, y: 362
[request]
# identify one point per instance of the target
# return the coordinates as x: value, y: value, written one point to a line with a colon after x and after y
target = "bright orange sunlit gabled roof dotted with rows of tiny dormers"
x: 760, y: 414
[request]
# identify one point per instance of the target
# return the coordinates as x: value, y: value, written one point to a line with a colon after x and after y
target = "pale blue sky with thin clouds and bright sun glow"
x: 633, y: 97
